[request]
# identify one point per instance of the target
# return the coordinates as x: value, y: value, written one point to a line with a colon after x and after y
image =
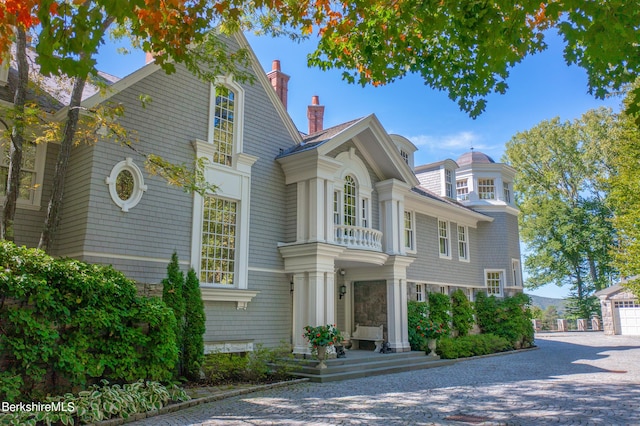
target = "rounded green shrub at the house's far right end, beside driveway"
x: 509, y: 318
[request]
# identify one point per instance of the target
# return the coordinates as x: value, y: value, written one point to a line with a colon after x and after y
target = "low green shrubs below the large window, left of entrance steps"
x: 260, y: 365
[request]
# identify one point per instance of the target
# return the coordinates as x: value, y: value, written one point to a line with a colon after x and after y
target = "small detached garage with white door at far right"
x: 620, y: 311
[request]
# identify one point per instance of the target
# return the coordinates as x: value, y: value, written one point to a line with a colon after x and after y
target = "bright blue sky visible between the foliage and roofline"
x: 540, y: 88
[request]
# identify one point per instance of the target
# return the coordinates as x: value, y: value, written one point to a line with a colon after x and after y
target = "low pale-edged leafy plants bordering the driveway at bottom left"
x: 100, y: 403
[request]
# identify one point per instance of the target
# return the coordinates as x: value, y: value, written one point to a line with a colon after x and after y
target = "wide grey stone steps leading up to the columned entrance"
x: 345, y: 368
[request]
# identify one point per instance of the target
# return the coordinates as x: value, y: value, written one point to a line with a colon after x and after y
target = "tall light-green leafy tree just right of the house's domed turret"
x: 565, y: 221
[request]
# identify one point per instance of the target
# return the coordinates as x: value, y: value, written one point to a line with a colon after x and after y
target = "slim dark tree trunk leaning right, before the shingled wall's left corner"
x: 62, y: 163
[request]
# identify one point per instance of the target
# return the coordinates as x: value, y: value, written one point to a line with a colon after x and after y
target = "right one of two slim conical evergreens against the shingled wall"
x: 194, y: 327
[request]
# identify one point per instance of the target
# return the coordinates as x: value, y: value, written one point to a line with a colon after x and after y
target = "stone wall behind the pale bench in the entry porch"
x: 370, y: 305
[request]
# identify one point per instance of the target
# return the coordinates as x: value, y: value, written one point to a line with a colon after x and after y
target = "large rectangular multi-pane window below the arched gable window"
x: 217, y: 263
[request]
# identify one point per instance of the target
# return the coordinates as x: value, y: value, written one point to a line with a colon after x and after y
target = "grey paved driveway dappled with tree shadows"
x: 573, y: 378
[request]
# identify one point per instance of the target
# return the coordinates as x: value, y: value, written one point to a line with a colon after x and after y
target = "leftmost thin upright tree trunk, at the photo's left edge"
x: 17, y: 139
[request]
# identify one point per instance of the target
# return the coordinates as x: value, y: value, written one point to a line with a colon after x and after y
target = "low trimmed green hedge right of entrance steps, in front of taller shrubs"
x: 472, y: 345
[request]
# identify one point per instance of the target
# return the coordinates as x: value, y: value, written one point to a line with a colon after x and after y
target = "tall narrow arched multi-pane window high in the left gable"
x: 223, y: 125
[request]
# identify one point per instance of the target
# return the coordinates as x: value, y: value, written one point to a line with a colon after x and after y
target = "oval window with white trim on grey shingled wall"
x: 126, y: 184
